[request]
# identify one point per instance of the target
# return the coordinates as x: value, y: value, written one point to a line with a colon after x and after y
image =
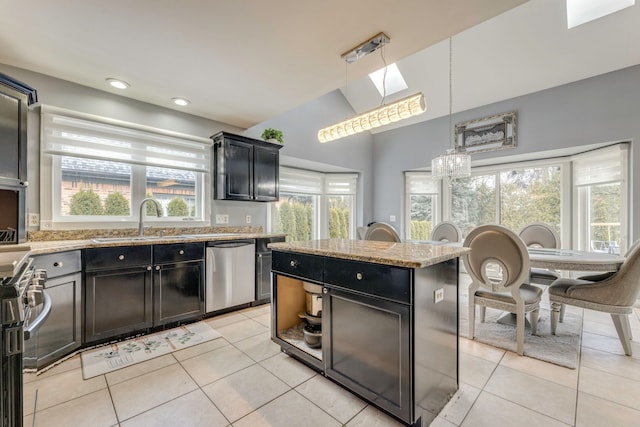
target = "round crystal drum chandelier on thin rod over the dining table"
x: 451, y: 164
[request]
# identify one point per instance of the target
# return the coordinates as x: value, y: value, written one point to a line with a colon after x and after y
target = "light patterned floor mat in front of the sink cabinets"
x: 113, y: 356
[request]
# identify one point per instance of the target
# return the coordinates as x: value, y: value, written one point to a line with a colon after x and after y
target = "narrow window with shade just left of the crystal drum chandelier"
x: 422, y: 204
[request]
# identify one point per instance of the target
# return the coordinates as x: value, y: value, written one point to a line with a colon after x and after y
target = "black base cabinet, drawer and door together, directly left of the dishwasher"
x: 178, y: 283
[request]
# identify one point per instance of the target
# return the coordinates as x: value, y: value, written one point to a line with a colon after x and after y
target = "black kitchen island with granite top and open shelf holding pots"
x: 388, y: 319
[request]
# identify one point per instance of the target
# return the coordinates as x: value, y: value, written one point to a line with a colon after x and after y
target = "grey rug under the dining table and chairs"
x: 561, y: 349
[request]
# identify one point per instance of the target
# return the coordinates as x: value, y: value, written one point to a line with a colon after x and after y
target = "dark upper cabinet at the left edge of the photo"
x: 15, y: 97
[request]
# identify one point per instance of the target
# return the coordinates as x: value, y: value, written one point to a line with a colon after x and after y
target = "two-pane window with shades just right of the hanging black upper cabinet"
x: 315, y: 205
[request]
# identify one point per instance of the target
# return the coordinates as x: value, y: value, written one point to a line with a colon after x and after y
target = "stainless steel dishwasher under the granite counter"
x: 230, y: 274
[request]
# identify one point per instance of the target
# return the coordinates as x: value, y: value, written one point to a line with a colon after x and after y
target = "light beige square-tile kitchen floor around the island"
x: 243, y: 380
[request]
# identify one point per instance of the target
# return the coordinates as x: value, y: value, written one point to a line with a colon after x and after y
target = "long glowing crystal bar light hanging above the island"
x: 402, y: 109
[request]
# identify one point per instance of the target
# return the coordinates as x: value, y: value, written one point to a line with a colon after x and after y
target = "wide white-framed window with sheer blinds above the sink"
x: 101, y: 170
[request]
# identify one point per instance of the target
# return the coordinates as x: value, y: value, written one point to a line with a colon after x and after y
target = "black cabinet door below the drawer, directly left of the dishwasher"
x: 178, y: 292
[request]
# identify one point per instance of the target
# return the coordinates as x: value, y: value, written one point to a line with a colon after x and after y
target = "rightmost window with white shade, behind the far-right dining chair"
x: 601, y: 204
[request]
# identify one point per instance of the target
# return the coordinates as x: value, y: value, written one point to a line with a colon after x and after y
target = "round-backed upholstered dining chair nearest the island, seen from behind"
x: 496, y: 248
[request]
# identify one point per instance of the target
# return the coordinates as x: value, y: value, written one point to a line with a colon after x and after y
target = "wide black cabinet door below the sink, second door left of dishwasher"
x: 117, y: 302
